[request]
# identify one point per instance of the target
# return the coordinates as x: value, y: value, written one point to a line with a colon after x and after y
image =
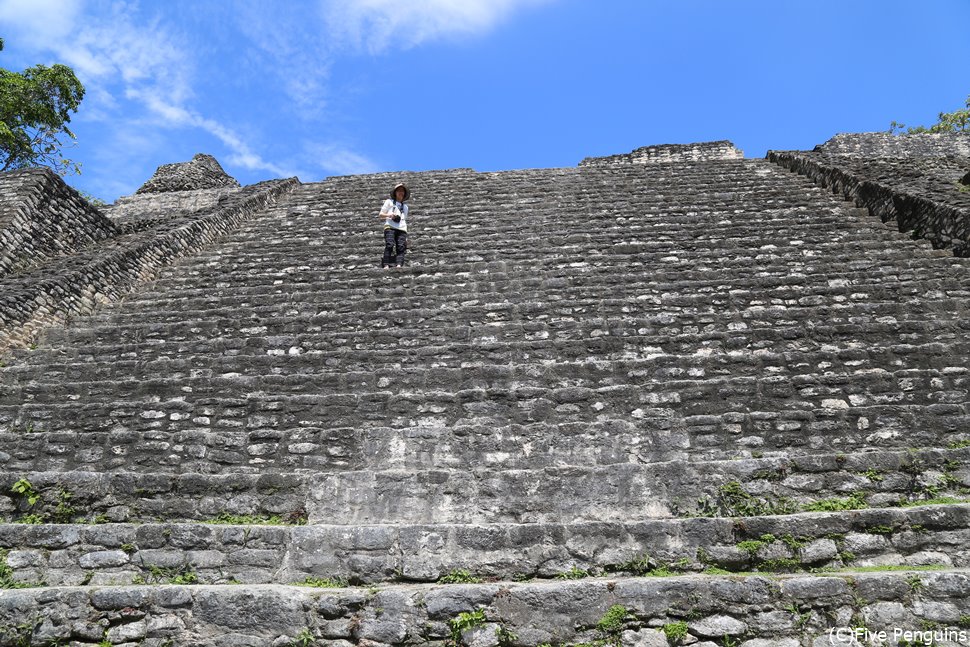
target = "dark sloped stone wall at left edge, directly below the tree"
x: 42, y: 218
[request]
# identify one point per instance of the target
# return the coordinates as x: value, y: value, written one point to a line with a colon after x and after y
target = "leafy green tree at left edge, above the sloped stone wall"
x: 35, y: 108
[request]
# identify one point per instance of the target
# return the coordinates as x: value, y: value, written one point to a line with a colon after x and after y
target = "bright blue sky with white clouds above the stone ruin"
x: 327, y: 87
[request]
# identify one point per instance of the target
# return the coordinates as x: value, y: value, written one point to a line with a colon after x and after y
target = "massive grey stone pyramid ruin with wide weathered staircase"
x: 673, y: 397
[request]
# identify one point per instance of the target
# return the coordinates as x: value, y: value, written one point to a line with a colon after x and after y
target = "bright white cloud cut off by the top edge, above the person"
x: 381, y: 25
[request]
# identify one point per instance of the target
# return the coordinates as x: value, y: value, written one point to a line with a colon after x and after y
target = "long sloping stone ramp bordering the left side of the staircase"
x: 76, y: 285
